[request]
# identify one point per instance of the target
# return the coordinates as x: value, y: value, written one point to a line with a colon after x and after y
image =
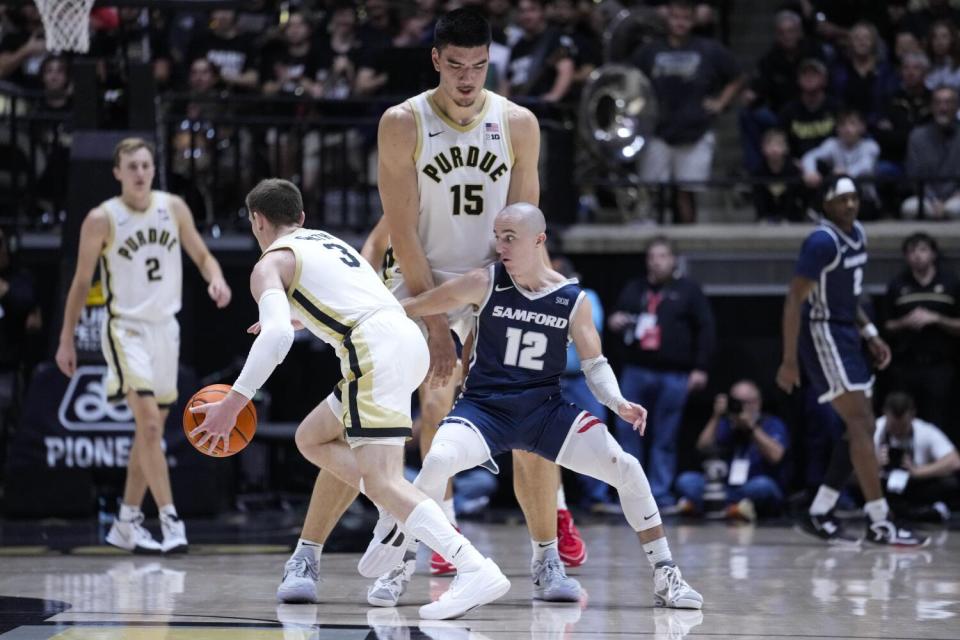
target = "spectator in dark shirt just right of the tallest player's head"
x: 540, y: 62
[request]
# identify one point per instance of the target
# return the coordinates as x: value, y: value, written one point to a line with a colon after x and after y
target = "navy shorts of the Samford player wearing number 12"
x: 535, y: 420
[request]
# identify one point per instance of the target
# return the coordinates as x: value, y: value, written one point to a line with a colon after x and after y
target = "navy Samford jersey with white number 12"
x: 522, y: 336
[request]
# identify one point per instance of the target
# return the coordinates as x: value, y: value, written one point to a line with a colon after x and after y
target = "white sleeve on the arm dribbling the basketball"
x: 271, y: 346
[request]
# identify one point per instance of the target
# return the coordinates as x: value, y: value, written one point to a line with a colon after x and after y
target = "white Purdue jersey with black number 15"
x: 463, y: 178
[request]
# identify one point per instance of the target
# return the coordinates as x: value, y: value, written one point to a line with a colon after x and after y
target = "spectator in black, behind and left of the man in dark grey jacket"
x: 908, y: 107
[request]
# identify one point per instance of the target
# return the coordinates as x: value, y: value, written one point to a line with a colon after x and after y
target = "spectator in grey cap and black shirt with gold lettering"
x: 812, y: 117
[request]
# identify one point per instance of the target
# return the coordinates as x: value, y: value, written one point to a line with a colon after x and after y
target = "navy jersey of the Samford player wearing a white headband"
x: 836, y: 262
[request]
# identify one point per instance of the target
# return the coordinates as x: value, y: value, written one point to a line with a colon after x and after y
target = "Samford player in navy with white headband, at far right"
x: 823, y: 321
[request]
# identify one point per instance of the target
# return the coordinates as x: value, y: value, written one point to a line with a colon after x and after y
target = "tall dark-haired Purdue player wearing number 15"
x: 449, y: 160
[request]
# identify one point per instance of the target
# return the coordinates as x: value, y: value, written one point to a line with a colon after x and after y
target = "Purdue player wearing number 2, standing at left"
x: 136, y: 237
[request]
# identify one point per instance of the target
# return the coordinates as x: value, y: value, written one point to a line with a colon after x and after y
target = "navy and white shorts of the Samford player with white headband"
x: 831, y: 355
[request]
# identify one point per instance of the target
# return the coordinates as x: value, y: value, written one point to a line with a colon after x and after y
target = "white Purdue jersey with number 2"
x: 141, y: 266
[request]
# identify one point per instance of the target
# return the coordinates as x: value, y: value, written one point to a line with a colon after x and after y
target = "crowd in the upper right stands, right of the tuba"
x: 863, y: 88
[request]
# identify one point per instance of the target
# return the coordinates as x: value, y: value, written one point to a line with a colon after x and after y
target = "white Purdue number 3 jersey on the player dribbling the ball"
x: 334, y: 288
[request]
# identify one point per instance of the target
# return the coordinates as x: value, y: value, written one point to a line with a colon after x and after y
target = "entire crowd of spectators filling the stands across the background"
x: 866, y: 88
